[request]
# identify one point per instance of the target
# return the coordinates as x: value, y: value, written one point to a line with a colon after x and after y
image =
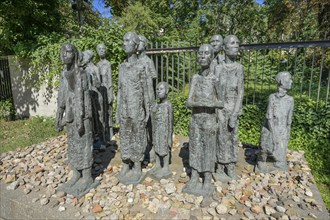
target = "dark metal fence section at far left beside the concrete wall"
x: 5, y: 84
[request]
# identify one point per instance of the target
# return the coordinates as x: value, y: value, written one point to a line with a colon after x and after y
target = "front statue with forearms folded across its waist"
x: 203, y: 99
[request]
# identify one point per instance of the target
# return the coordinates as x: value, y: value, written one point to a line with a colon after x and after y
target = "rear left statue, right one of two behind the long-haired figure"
x: 106, y: 90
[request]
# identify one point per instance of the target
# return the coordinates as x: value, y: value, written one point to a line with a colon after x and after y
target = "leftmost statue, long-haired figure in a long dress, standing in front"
x: 74, y: 101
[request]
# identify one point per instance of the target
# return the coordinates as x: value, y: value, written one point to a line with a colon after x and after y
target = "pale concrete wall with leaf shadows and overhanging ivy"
x: 29, y: 101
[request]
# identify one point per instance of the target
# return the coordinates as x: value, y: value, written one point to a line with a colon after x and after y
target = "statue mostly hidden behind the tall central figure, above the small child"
x: 151, y: 78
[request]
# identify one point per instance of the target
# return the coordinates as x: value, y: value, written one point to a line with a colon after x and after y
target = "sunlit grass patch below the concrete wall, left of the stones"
x: 25, y: 132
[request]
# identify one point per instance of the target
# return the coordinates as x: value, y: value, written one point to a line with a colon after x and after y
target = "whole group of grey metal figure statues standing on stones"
x: 146, y: 122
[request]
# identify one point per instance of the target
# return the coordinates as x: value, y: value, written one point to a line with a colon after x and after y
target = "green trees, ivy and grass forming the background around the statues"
x: 36, y: 29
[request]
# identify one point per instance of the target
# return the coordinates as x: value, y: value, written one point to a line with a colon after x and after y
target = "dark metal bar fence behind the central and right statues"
x: 308, y: 63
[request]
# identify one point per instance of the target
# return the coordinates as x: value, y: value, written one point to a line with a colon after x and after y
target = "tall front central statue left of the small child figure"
x: 132, y: 112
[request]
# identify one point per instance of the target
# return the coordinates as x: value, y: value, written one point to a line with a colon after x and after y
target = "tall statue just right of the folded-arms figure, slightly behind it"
x: 231, y: 75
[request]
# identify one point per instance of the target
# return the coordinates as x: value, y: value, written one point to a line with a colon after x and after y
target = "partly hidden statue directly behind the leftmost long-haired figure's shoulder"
x: 94, y: 82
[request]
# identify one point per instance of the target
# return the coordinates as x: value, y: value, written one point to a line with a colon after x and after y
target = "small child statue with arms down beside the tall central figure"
x: 162, y: 119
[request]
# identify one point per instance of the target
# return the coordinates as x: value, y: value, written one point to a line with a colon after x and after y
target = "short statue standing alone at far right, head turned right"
x: 275, y: 133
